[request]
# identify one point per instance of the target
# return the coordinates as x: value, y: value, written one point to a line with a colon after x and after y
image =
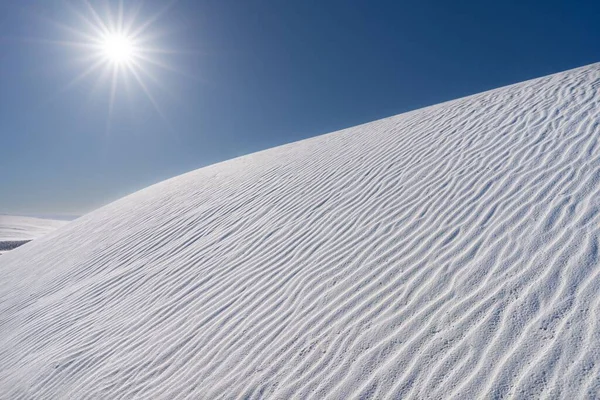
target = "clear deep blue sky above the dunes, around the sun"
x: 248, y: 75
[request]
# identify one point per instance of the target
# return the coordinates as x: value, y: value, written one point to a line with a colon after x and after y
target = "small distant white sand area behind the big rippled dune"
x: 16, y: 230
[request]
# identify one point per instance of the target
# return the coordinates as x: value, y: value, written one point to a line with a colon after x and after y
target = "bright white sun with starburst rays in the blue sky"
x: 119, y: 45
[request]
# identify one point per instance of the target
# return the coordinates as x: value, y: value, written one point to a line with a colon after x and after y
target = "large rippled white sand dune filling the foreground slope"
x: 446, y: 253
